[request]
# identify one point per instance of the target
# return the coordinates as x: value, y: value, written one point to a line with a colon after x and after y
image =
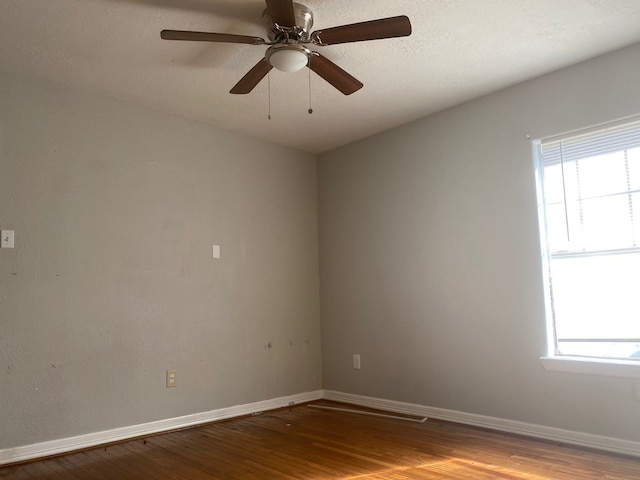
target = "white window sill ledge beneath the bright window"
x: 592, y: 366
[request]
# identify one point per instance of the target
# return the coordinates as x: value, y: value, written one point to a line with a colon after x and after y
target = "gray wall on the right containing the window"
x: 430, y: 262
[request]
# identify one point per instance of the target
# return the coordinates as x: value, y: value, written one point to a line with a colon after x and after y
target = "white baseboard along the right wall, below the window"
x: 609, y: 444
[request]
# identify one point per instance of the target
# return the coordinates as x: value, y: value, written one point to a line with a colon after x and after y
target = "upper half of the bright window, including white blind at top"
x: 592, y: 189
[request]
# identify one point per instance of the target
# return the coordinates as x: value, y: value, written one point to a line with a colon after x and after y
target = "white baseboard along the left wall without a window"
x: 64, y: 445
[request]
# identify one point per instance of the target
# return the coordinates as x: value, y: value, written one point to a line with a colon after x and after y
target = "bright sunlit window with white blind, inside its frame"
x: 589, y: 197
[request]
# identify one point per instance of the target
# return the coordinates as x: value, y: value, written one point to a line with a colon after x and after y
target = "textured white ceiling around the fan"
x: 459, y: 49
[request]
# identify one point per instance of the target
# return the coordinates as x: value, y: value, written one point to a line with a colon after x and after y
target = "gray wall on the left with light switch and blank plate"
x: 111, y: 282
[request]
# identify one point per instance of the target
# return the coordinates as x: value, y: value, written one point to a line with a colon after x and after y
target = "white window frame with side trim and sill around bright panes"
x: 566, y: 363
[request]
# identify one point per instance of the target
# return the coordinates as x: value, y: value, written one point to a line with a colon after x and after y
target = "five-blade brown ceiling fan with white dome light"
x: 288, y: 27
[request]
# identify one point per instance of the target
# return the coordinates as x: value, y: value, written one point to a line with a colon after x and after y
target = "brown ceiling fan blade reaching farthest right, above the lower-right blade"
x: 358, y: 32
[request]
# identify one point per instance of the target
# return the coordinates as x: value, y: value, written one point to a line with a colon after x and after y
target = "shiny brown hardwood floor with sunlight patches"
x: 316, y: 444
